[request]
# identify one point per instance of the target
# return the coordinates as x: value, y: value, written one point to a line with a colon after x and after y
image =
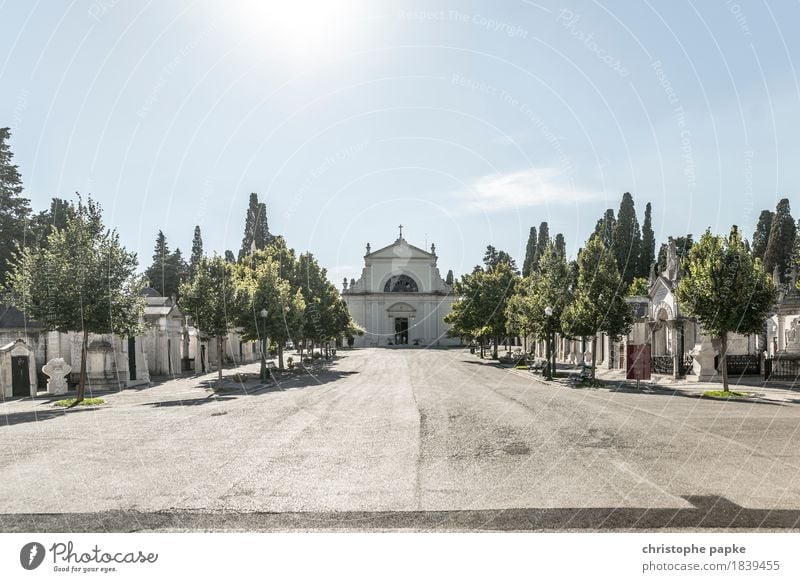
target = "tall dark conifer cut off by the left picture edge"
x: 14, y: 208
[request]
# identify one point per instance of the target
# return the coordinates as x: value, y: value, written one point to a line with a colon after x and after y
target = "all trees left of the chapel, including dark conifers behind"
x: 64, y: 268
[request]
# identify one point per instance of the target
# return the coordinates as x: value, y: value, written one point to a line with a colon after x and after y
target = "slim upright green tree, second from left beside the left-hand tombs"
x: 210, y: 299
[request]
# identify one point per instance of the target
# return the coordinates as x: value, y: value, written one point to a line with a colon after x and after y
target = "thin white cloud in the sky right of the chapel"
x: 524, y: 188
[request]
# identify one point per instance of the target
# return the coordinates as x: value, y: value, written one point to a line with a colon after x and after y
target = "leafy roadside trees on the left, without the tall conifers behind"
x: 270, y: 293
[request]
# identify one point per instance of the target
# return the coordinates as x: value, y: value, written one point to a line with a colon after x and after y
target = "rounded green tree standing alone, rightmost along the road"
x: 725, y: 289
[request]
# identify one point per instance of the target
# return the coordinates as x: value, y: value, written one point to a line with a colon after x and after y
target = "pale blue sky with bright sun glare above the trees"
x: 468, y: 122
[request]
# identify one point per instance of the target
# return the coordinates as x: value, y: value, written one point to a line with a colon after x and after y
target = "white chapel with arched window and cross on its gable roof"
x: 401, y: 298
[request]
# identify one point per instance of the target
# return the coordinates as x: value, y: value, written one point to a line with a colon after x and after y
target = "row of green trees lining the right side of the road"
x: 723, y: 285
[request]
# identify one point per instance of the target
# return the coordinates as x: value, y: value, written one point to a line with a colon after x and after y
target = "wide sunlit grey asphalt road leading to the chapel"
x: 400, y: 439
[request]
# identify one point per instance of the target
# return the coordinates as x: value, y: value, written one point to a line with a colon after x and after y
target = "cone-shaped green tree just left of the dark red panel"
x: 599, y: 301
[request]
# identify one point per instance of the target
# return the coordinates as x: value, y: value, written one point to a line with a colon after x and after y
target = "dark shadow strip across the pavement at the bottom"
x: 707, y: 512
